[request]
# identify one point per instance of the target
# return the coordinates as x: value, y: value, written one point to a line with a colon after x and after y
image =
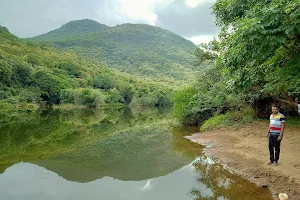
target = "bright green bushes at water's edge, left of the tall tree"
x: 209, y: 95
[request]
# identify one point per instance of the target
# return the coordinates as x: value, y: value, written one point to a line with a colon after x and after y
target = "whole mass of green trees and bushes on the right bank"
x: 256, y: 62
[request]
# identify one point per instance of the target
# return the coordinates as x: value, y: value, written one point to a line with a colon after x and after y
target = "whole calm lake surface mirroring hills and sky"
x: 111, y: 155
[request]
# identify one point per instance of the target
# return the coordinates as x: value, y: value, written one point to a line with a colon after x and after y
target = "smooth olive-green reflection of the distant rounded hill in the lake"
x: 141, y: 153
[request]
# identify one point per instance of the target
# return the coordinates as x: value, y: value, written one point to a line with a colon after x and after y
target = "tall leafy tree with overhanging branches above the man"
x: 260, y: 47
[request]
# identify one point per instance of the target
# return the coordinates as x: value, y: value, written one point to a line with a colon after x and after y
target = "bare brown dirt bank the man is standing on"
x: 245, y: 152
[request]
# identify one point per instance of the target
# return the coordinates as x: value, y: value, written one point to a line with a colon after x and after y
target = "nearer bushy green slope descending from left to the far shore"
x: 30, y: 73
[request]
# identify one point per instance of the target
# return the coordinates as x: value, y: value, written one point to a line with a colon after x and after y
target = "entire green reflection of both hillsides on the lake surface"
x: 85, y: 145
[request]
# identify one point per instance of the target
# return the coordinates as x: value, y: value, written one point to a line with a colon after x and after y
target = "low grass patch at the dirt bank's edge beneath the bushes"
x: 232, y: 118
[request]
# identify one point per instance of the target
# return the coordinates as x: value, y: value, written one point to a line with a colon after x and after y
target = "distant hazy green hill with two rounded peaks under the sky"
x: 138, y: 49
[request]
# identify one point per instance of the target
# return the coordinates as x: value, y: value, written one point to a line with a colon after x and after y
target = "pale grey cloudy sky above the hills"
x: 188, y: 18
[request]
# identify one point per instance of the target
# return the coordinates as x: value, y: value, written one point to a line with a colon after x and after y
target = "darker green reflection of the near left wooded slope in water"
x: 32, y: 135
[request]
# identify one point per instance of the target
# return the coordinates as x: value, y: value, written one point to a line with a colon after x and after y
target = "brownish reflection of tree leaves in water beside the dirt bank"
x: 225, y: 185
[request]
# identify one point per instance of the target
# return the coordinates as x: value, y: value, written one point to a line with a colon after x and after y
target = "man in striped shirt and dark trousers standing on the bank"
x: 275, y: 133
